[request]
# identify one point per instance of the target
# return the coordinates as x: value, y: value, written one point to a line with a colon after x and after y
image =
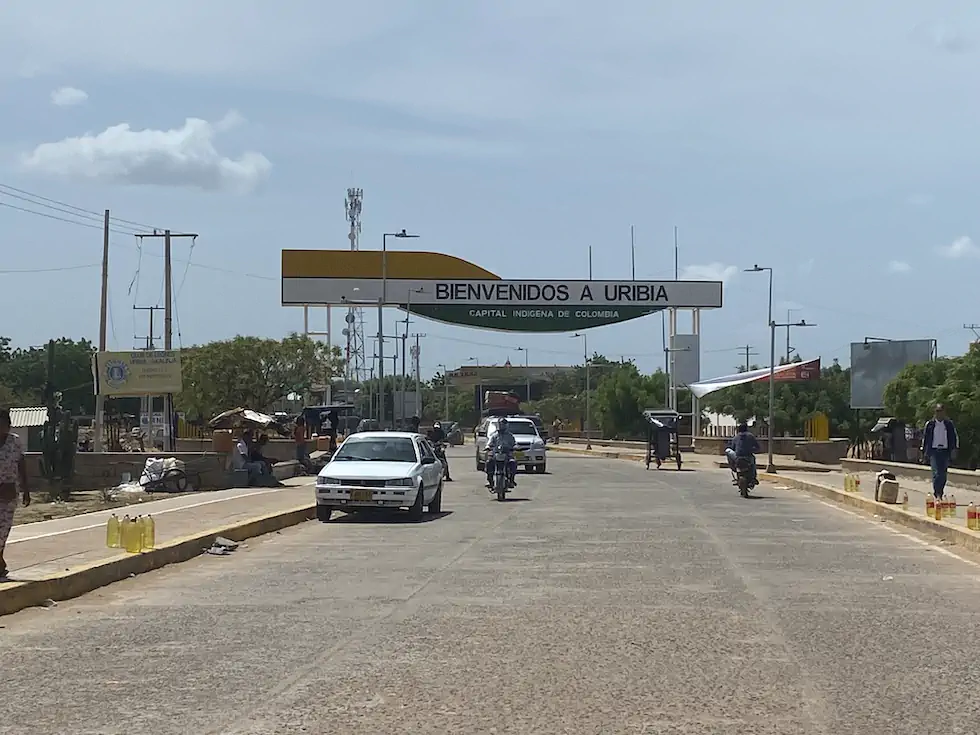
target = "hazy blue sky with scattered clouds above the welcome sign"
x: 834, y: 142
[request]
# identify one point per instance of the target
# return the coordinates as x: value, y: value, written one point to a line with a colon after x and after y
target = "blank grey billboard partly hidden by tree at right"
x: 875, y: 364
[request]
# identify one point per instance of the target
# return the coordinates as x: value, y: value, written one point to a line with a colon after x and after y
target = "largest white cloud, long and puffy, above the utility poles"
x: 179, y: 157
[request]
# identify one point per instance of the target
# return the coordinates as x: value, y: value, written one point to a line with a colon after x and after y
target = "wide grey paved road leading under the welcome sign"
x: 603, y: 599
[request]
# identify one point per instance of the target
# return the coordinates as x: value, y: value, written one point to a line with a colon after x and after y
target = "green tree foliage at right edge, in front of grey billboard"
x: 952, y: 381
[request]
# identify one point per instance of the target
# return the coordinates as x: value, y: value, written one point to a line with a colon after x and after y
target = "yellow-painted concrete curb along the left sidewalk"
x: 16, y: 596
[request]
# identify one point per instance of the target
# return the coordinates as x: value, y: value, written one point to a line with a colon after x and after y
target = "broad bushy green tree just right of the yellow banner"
x: 252, y: 372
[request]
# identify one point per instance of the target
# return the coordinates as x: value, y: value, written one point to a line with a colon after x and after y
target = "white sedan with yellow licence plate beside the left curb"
x: 381, y: 469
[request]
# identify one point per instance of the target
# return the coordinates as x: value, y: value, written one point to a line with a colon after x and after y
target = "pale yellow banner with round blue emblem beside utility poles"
x: 143, y: 373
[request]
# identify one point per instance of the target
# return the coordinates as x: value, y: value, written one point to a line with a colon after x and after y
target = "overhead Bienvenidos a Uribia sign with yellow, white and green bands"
x: 449, y: 289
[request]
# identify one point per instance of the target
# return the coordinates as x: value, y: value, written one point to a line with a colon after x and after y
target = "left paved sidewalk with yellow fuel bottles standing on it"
x: 40, y: 550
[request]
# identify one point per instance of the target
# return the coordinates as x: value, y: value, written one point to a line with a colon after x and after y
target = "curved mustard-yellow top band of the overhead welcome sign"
x: 373, y: 264
